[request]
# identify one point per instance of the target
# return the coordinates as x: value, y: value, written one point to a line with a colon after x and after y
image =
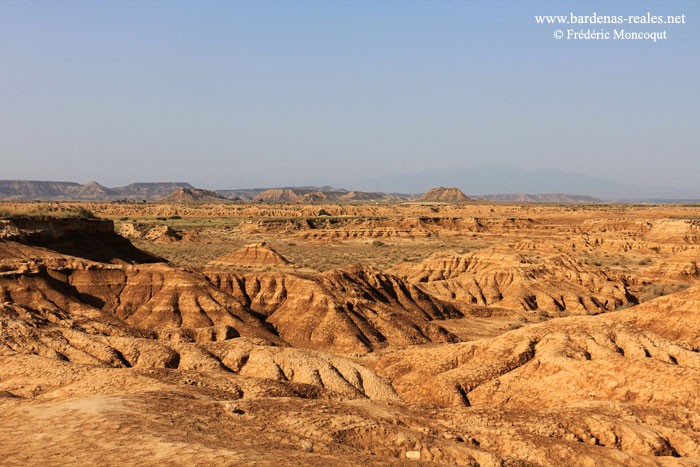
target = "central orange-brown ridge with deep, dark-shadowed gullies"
x: 357, y: 309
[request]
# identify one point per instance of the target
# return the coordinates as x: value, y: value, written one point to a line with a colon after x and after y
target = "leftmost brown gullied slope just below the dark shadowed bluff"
x: 148, y: 296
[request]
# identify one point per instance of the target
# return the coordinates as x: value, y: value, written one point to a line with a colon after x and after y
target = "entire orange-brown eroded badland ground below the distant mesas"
x: 469, y: 333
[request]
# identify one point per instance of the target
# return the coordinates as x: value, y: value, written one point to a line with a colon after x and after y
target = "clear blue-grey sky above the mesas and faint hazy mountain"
x: 226, y: 94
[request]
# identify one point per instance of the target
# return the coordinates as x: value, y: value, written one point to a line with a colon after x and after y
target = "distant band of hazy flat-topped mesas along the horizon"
x: 30, y: 190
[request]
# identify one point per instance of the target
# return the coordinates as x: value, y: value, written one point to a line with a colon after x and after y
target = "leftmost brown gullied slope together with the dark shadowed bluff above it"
x: 81, y: 266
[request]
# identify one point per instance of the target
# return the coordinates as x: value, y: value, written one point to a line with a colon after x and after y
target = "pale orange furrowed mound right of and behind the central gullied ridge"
x: 511, y: 278
